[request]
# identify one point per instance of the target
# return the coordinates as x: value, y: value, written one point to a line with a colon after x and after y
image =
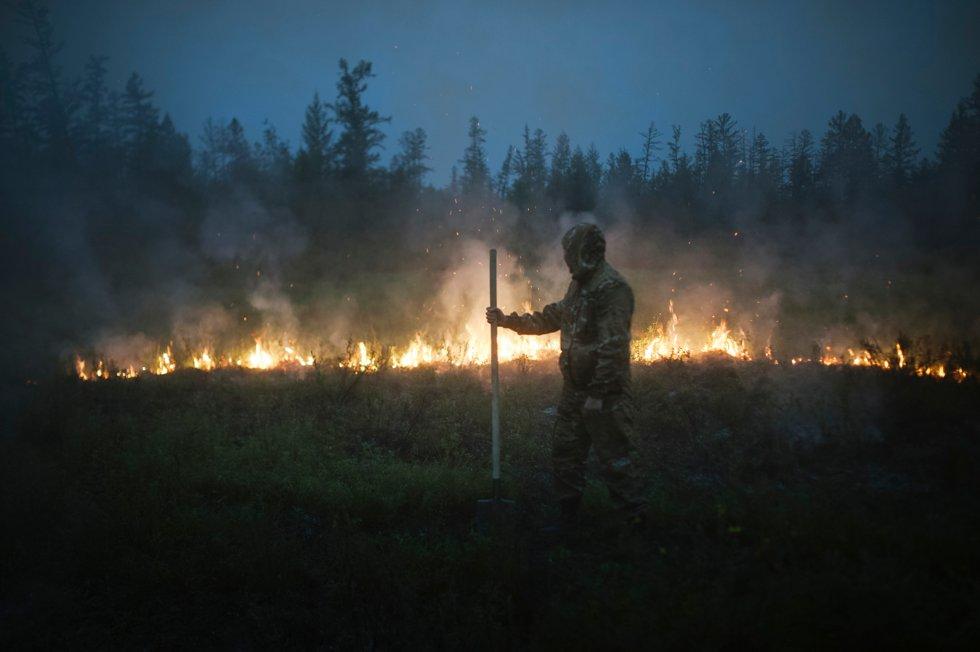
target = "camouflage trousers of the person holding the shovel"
x: 610, y: 431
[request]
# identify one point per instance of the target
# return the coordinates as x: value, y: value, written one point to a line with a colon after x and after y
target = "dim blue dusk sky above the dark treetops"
x: 600, y: 71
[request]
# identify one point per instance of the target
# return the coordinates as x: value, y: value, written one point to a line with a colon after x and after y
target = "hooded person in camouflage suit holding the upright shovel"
x: 596, y: 405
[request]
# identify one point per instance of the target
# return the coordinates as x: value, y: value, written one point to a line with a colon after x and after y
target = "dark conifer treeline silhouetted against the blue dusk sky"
x: 118, y: 140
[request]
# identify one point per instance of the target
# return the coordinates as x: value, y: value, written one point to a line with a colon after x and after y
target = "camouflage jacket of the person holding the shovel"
x: 594, y: 319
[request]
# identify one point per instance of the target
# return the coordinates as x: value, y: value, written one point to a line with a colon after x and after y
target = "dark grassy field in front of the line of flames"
x: 801, y: 507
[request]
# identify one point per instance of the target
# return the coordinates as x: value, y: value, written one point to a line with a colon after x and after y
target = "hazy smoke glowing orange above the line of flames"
x: 244, y: 272
